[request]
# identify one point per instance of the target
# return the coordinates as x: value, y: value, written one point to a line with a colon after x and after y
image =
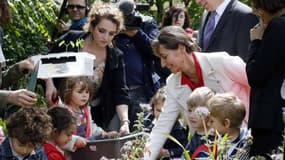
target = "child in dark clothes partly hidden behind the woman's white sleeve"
x: 170, y: 149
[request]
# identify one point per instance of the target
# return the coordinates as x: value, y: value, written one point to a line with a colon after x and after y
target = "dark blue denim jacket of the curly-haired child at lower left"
x: 6, y: 152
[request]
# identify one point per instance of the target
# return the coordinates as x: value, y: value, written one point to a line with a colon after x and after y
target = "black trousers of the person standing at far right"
x: 265, y: 142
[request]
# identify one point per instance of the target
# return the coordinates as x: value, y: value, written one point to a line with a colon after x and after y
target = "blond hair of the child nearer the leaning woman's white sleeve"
x: 199, y: 97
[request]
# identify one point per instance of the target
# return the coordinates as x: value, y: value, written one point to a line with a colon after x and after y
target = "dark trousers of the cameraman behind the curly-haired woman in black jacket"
x: 137, y: 96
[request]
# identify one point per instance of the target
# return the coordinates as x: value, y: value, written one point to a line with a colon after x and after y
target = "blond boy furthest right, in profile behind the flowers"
x: 226, y: 116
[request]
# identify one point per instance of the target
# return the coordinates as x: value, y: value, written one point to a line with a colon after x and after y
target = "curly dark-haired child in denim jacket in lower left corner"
x: 27, y: 129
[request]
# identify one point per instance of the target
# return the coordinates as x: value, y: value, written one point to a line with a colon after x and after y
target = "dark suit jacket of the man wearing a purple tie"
x: 232, y: 31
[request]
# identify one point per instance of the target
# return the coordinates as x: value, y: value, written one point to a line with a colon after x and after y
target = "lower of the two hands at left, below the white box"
x: 22, y: 97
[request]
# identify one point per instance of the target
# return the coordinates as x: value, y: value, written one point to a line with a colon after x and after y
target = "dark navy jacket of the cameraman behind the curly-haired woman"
x: 141, y: 42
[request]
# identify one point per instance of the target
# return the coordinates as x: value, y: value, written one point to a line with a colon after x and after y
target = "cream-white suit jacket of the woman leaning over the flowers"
x: 221, y: 73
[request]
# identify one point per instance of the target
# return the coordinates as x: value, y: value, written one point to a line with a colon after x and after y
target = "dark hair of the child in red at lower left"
x: 61, y: 118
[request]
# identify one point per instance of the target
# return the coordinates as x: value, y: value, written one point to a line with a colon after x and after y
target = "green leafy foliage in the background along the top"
x: 34, y: 21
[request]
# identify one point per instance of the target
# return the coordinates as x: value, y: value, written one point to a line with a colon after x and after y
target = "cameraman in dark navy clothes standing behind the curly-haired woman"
x: 135, y: 42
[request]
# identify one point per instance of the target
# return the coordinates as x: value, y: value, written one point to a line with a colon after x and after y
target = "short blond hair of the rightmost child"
x: 227, y: 106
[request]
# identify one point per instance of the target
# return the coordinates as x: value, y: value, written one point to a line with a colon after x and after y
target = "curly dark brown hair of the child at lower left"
x: 29, y: 125
